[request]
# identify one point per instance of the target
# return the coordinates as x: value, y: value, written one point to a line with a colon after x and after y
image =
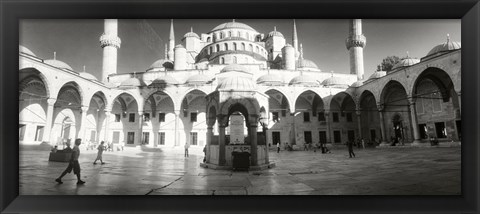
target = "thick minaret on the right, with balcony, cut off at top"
x: 355, y: 43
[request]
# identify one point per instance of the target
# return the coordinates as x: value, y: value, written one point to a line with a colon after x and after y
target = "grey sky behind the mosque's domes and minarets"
x: 76, y: 42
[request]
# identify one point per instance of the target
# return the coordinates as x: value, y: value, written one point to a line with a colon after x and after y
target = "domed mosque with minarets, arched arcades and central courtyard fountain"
x: 237, y: 89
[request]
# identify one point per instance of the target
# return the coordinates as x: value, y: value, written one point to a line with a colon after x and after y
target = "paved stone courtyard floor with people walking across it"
x: 387, y: 171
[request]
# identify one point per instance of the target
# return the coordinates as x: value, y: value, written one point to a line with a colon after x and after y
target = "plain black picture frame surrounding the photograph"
x: 11, y: 11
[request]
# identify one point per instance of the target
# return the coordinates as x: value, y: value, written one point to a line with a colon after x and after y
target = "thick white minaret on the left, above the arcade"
x: 110, y: 42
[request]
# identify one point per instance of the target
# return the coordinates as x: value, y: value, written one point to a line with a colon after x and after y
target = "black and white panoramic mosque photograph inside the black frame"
x: 240, y: 107
